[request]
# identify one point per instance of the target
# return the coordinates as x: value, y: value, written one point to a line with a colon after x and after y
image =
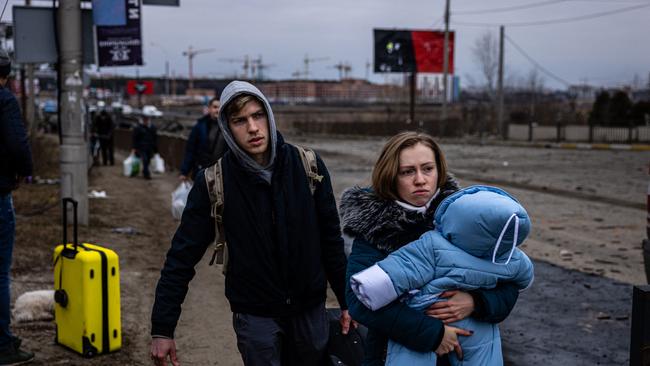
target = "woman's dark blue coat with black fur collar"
x: 380, y: 227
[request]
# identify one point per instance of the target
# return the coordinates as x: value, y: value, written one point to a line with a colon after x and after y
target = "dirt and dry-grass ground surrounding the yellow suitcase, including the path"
x: 204, y: 336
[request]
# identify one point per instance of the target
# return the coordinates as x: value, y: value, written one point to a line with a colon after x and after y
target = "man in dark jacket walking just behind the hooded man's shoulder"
x: 205, y: 145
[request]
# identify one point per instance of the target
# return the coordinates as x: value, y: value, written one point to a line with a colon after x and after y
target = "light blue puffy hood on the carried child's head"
x: 479, y: 219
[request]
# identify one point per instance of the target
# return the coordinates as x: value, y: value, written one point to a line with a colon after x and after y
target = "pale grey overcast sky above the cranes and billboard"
x: 607, y: 50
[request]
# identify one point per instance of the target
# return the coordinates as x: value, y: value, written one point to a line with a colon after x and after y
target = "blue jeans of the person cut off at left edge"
x: 7, y: 232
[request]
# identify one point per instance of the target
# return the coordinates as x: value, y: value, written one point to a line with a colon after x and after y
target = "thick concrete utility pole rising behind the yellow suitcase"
x: 74, y: 153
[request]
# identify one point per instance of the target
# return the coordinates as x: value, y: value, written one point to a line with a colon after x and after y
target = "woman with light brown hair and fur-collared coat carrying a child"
x: 409, y: 181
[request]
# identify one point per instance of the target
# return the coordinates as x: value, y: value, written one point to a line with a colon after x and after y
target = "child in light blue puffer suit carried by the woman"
x: 473, y: 246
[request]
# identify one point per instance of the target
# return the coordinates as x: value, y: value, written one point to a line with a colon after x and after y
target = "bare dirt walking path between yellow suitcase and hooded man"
x: 204, y: 335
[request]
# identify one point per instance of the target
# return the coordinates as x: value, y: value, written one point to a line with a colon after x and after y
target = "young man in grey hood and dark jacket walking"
x: 284, y: 244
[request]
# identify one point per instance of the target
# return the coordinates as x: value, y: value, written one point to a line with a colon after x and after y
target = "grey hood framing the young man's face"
x: 230, y: 92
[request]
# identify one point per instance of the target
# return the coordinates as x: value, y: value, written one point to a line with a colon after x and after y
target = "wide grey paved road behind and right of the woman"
x: 588, y: 222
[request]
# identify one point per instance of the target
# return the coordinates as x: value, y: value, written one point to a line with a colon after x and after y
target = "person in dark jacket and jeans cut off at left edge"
x: 15, y: 164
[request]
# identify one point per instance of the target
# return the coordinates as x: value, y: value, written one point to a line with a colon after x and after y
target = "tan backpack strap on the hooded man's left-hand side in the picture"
x: 214, y: 182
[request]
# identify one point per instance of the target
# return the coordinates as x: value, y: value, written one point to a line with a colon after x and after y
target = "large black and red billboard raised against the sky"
x: 412, y: 51
